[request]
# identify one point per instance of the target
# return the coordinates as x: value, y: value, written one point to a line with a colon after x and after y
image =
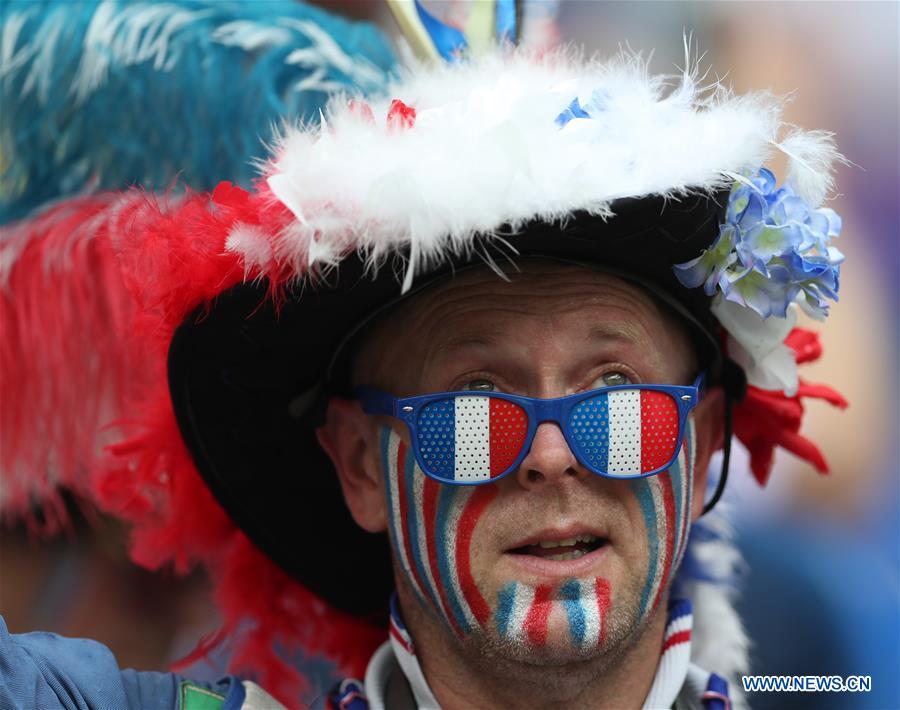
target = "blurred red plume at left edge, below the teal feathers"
x: 67, y: 364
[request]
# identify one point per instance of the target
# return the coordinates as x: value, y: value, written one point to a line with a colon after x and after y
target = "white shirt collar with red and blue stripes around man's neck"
x: 671, y: 673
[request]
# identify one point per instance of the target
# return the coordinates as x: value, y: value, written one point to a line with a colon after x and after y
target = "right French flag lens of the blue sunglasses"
x: 626, y: 432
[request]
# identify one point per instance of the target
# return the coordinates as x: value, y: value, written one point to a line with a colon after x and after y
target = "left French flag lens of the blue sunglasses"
x: 470, y: 438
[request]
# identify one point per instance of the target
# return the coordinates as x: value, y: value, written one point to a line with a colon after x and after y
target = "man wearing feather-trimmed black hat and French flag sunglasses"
x: 470, y: 314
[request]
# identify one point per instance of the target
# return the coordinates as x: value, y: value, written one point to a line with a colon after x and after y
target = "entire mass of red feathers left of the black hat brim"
x: 93, y: 289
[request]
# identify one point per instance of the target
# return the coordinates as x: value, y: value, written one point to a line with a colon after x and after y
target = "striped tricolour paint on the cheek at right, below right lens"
x: 665, y: 502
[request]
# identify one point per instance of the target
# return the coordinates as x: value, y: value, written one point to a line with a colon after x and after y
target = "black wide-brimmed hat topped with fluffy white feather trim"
x: 489, y: 161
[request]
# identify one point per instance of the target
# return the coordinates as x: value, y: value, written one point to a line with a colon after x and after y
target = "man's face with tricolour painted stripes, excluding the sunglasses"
x: 551, y: 563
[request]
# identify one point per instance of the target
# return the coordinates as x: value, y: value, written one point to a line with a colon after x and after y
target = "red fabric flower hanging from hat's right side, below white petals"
x: 766, y: 419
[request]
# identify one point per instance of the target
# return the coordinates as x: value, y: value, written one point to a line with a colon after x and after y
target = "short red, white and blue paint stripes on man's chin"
x: 523, y: 611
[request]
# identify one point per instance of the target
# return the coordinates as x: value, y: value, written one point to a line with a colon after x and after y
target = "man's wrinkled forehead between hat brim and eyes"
x: 476, y: 309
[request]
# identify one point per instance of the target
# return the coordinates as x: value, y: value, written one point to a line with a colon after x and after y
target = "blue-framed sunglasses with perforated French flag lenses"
x: 470, y: 438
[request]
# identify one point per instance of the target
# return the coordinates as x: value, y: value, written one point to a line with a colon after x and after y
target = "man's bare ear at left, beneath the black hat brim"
x: 350, y: 442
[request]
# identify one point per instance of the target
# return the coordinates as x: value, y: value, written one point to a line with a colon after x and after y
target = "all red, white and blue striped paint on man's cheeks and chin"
x: 432, y: 527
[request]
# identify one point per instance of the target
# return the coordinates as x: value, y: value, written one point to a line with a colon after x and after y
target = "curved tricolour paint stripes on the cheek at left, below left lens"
x: 431, y: 528
